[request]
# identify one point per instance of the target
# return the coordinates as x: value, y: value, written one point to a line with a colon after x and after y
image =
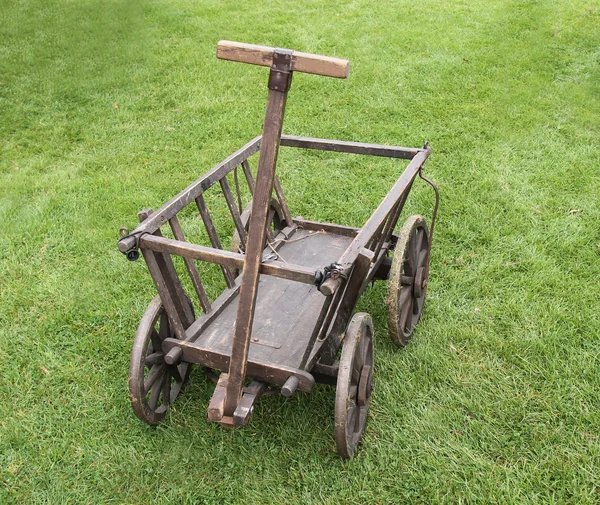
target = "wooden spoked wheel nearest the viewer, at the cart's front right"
x: 354, y: 384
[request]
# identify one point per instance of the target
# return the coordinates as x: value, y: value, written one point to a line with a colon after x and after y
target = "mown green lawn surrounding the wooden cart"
x: 109, y: 107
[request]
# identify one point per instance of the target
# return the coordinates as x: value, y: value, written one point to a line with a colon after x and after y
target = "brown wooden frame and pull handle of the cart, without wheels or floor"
x: 364, y: 260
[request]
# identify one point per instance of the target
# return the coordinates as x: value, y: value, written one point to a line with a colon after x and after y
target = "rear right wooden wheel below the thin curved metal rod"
x: 407, y: 283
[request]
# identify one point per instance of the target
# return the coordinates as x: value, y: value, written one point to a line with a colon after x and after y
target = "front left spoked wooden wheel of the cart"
x: 154, y: 385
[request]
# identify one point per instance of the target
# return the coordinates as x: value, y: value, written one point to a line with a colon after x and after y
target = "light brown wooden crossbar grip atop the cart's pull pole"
x: 301, y: 62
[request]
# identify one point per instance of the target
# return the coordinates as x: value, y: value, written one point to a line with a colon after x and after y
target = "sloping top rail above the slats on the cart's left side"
x: 194, y: 190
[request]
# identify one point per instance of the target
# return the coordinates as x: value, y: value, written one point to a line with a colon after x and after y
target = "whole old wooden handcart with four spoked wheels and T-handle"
x: 278, y: 326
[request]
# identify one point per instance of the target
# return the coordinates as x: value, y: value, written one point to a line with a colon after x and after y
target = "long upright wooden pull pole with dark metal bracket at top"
x: 279, y: 83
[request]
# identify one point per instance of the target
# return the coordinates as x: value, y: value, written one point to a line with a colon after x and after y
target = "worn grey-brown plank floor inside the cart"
x: 286, y: 311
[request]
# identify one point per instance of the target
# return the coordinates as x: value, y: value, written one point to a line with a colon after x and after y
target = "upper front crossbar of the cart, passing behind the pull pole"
x: 230, y: 259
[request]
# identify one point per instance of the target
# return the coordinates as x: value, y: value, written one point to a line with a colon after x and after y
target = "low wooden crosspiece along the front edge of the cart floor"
x: 266, y: 372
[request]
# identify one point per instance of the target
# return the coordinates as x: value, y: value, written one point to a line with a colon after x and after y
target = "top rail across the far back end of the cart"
x: 341, y: 146
